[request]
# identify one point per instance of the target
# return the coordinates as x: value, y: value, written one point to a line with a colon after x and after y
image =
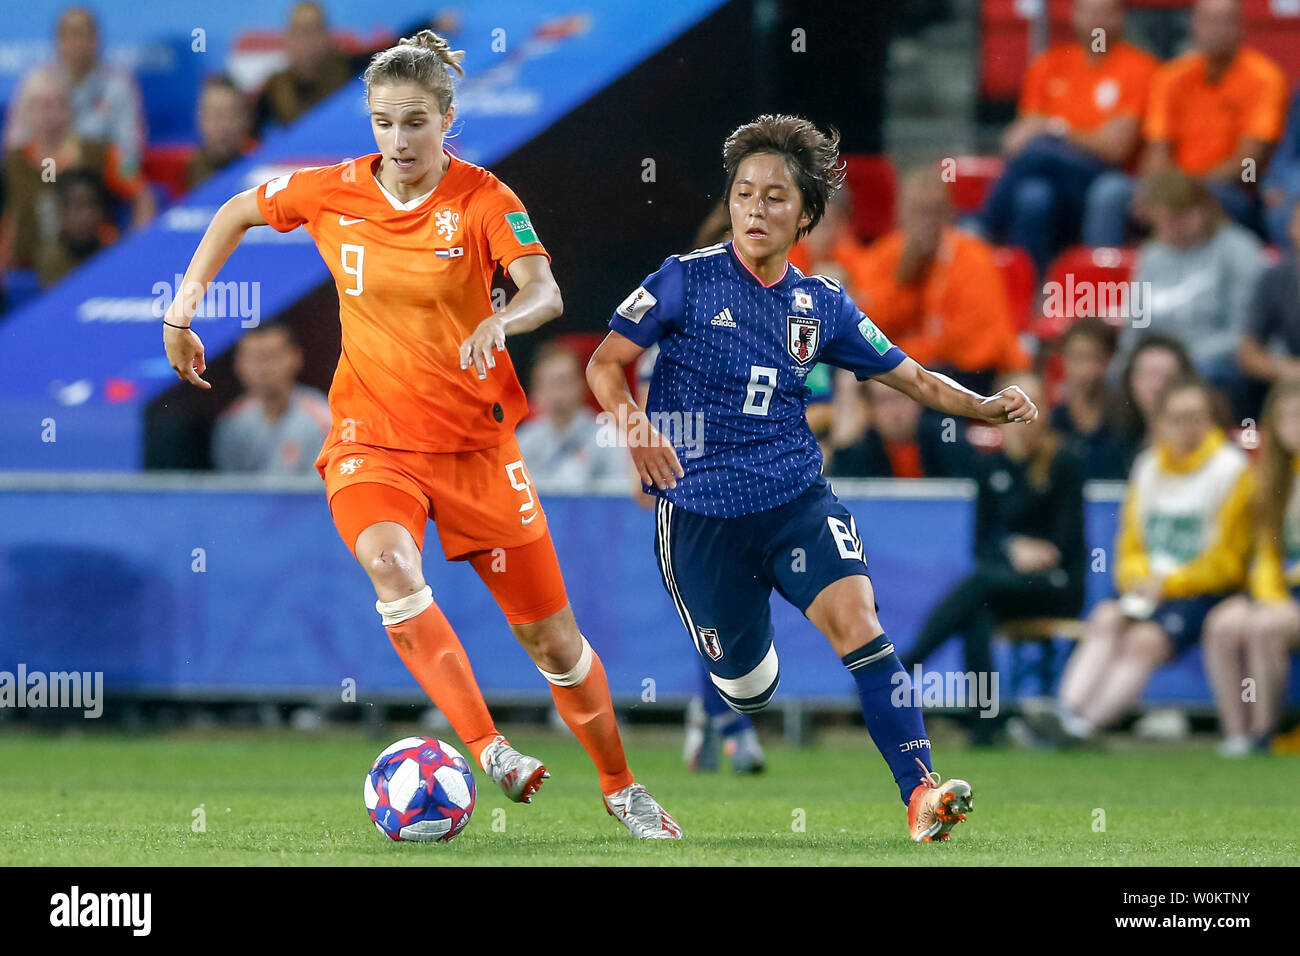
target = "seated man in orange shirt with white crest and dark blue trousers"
x: 1080, y: 116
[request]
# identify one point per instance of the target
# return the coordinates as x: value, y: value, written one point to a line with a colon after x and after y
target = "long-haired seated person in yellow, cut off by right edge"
x: 1249, y: 638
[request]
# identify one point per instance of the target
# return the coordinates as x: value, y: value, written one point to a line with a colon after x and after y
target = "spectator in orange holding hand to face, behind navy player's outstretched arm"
x: 937, y: 292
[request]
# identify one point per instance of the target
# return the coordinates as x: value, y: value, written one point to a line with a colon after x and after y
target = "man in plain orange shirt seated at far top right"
x: 1215, y: 113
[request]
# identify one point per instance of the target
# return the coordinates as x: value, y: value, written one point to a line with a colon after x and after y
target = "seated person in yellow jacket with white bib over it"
x: 1184, y: 547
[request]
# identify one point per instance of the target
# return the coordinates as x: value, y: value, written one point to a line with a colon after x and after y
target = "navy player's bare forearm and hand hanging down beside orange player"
x: 653, y: 456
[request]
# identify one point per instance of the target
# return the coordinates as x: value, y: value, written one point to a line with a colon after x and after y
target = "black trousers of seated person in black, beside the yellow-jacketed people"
x: 973, y: 609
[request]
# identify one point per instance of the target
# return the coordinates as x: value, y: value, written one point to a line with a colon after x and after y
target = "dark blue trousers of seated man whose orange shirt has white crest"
x: 1039, y: 201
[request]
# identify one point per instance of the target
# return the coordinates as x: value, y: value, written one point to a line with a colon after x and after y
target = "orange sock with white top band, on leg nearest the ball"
x: 430, y: 648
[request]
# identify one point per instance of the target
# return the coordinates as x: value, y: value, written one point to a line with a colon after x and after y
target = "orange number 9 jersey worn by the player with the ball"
x: 414, y: 283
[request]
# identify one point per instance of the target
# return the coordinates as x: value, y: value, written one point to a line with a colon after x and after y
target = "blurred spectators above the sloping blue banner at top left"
x: 75, y: 139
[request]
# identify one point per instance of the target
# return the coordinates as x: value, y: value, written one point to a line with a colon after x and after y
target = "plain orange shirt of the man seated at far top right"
x: 1203, y: 123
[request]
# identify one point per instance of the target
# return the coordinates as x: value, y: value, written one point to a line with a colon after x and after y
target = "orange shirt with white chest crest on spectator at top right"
x: 1065, y: 84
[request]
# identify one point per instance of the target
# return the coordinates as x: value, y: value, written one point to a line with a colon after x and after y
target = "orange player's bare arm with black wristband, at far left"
x: 184, y: 347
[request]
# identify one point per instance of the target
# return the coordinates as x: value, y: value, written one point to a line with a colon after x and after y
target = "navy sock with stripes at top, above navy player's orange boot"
x: 898, y: 728
